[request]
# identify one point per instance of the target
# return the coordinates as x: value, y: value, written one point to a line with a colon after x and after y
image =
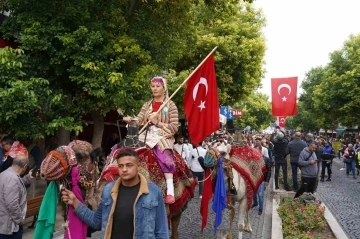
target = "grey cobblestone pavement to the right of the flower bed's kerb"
x: 341, y: 196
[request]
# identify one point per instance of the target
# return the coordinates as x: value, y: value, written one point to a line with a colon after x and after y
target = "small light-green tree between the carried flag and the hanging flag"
x: 256, y: 112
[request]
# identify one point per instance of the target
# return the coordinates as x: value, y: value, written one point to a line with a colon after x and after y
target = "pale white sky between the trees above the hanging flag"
x: 300, y: 35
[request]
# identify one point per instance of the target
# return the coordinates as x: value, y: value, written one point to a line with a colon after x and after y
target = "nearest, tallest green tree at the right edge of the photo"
x: 338, y: 92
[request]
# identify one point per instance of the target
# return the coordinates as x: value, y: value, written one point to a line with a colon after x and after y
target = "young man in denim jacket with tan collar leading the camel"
x: 129, y: 206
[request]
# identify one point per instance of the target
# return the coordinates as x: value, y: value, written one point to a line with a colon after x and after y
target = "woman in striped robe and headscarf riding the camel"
x: 159, y: 135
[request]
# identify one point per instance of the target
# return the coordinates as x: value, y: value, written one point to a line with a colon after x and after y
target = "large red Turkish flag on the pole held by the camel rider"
x: 201, y: 102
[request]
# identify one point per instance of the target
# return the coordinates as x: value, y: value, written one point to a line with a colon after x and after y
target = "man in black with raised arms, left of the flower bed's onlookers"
x: 279, y: 152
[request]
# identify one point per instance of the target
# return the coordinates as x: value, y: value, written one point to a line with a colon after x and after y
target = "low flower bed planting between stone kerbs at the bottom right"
x: 301, y: 220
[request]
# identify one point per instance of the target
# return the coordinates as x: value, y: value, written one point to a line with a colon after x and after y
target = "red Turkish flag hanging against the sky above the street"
x: 283, y: 93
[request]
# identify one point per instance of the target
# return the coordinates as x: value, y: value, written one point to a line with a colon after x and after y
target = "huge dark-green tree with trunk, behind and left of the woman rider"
x: 97, y: 56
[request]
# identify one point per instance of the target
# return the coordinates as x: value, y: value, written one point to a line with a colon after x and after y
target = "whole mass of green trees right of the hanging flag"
x: 331, y: 92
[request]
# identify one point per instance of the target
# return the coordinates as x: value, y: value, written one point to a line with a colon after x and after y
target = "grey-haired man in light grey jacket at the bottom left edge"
x: 13, y: 198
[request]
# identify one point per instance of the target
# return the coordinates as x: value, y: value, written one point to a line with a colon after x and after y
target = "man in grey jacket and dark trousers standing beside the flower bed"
x: 309, y: 169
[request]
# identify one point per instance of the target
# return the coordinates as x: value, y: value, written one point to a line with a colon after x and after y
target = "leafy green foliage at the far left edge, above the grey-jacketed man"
x: 22, y: 96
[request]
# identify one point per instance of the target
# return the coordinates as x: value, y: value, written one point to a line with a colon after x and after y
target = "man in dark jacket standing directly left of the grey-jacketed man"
x: 294, y: 148
